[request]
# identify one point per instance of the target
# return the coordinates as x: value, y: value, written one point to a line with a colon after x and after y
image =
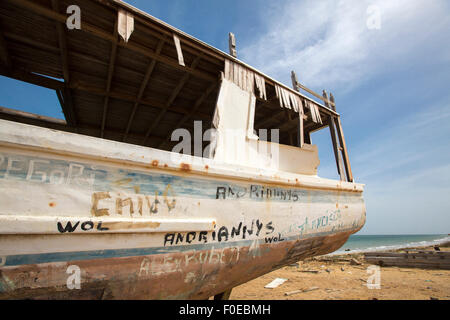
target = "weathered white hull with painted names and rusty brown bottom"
x: 138, y: 226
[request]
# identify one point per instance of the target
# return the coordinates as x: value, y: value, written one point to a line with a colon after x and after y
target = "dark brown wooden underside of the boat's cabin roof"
x: 134, y: 91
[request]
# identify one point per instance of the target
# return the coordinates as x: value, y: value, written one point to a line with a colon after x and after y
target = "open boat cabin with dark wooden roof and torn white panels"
x: 120, y: 74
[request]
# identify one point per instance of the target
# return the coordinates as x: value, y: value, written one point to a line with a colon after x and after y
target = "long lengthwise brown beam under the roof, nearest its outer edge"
x: 50, y: 14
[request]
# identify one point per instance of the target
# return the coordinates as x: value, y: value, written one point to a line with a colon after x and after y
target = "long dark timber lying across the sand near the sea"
x: 420, y: 259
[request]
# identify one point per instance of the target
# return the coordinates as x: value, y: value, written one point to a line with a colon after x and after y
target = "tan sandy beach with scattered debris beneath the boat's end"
x: 335, y: 278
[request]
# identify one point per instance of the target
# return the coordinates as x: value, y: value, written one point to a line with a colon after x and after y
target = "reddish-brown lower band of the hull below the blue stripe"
x: 194, y: 274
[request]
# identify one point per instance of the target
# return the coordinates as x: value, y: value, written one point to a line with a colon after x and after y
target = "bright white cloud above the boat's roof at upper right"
x: 329, y: 45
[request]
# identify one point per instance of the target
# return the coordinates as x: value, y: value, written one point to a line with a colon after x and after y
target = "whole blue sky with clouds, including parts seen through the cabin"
x: 391, y: 87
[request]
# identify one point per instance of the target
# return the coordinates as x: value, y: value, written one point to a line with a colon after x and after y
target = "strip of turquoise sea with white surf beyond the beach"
x: 371, y: 243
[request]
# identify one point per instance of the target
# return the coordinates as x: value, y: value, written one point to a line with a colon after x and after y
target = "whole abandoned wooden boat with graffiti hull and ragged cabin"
x: 106, y: 205
